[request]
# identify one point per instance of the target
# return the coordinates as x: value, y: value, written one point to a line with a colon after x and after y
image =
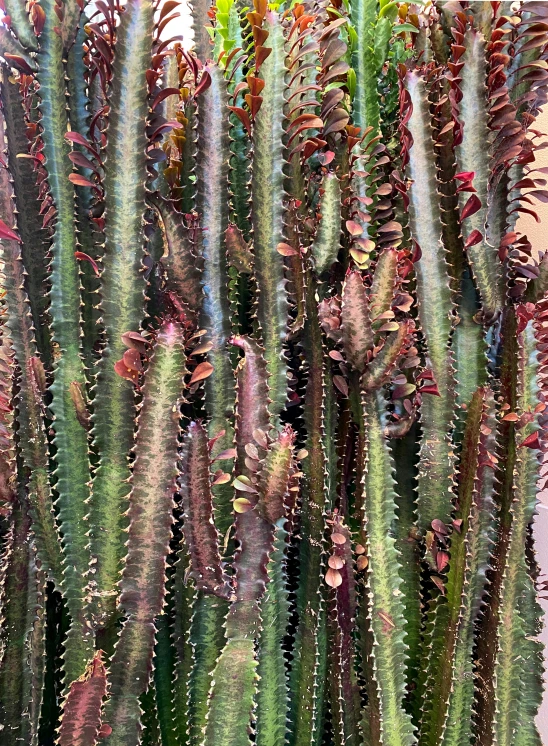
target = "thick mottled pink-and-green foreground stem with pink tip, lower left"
x: 142, y: 587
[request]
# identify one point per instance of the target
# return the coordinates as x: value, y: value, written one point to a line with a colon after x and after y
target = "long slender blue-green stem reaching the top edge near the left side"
x: 70, y: 441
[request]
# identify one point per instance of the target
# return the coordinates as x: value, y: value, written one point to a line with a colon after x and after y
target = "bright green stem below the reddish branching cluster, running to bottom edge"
x: 384, y: 580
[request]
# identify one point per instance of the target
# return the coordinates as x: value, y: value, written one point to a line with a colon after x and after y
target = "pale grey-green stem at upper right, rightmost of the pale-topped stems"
x: 473, y: 155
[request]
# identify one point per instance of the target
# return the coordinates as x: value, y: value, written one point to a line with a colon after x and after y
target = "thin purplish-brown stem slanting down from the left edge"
x: 29, y: 407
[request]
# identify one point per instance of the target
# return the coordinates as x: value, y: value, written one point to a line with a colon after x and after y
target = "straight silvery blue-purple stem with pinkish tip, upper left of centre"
x: 212, y: 205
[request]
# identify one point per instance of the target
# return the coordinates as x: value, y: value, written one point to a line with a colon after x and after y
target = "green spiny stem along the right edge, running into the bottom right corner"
x: 517, y: 696
